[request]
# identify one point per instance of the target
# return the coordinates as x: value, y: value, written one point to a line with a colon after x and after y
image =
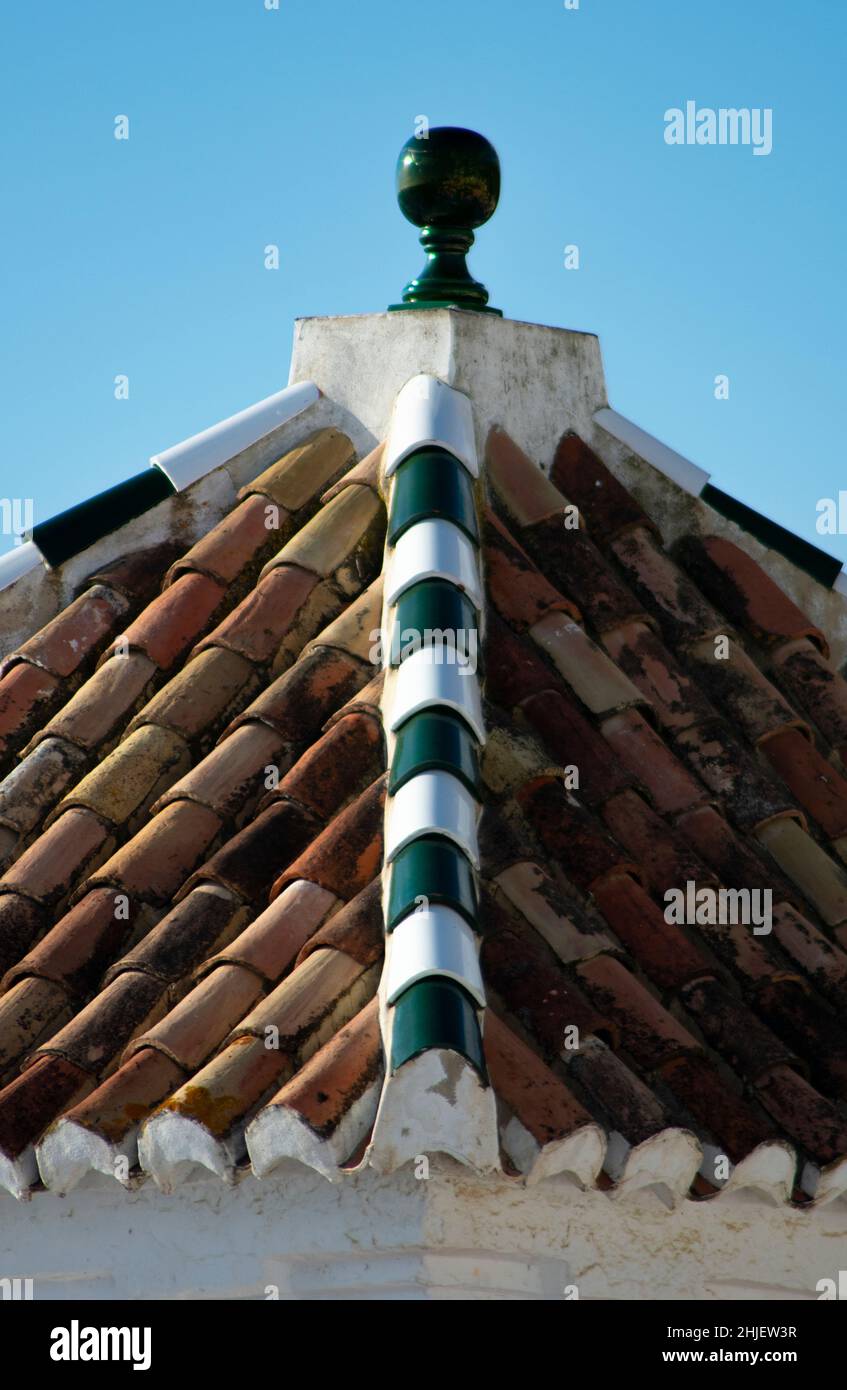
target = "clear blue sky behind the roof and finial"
x: 254, y: 127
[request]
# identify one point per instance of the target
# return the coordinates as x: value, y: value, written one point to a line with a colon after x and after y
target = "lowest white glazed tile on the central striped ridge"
x: 435, y: 942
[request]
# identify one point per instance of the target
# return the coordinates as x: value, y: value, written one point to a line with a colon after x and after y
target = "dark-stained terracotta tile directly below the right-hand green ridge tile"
x: 750, y: 597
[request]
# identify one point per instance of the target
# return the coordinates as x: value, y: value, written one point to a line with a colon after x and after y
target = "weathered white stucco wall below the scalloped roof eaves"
x: 449, y: 1236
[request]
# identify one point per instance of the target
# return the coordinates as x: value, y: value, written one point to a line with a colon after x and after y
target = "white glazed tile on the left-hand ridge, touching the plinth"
x: 193, y: 459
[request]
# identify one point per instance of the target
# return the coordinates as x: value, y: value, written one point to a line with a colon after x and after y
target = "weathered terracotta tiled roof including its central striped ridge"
x: 218, y: 810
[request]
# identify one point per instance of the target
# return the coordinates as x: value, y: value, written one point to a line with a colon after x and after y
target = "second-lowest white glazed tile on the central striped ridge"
x: 432, y: 803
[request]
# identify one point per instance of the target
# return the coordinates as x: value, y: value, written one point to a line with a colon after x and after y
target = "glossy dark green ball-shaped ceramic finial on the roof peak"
x: 447, y: 184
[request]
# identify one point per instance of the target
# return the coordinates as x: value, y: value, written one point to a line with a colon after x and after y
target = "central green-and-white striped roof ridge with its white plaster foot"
x: 436, y: 1097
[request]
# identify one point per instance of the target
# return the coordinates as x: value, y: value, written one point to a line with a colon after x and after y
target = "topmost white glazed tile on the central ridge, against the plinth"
x: 428, y: 412
